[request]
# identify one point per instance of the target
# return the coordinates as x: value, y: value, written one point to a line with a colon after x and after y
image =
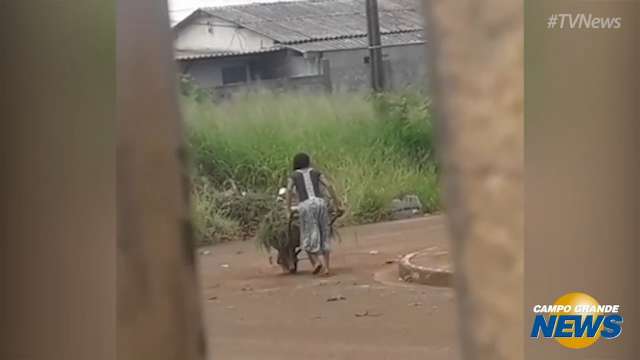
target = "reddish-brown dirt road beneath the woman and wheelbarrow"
x: 362, y: 312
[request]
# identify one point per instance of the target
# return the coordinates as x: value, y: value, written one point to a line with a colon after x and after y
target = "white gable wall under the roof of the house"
x: 209, y: 33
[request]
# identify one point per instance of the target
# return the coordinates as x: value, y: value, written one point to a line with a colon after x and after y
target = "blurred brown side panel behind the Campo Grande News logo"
x: 582, y: 168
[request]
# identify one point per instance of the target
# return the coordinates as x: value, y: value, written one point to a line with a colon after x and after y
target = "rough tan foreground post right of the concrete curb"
x: 477, y: 50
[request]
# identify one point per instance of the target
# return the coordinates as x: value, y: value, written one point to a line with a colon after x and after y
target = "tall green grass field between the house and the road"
x: 373, y: 148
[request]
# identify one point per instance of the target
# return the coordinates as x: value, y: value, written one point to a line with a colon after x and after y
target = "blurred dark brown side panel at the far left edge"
x: 57, y: 233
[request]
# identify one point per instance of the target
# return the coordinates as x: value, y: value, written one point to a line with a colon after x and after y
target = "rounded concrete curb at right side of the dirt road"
x: 437, y: 272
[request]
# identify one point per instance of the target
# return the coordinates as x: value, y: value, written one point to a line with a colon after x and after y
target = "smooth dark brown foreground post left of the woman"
x: 158, y: 302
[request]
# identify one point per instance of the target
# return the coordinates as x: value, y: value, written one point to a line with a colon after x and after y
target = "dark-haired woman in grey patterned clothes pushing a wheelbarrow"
x: 309, y: 186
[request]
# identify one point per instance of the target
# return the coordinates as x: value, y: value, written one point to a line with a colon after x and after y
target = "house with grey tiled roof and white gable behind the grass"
x: 317, y: 44
